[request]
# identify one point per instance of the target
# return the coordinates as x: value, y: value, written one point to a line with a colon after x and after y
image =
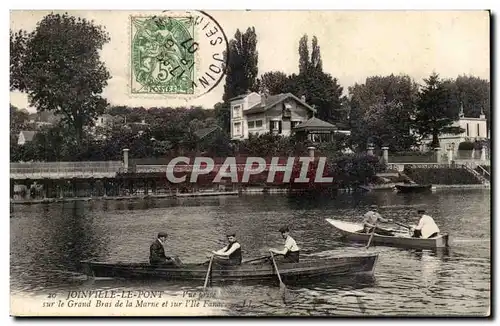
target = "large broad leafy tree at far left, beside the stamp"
x: 58, y: 66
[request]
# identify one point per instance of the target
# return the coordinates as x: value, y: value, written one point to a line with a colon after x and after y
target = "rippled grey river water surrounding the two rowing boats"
x: 48, y: 241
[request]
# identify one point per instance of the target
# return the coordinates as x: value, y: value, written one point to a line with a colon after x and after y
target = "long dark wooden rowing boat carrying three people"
x: 363, y: 264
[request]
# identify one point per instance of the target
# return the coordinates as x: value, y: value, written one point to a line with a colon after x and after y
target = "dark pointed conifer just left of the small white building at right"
x: 434, y: 116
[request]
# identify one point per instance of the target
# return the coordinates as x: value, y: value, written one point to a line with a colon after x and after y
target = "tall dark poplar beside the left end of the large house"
x: 241, y: 75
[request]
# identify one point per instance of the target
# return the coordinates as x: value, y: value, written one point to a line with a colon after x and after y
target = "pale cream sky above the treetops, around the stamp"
x: 354, y: 45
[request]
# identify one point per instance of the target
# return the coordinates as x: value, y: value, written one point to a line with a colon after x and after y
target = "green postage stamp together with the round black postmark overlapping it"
x: 177, y: 54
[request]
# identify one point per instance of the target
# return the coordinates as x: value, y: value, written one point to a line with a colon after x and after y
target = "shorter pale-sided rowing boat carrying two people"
x: 353, y: 232
